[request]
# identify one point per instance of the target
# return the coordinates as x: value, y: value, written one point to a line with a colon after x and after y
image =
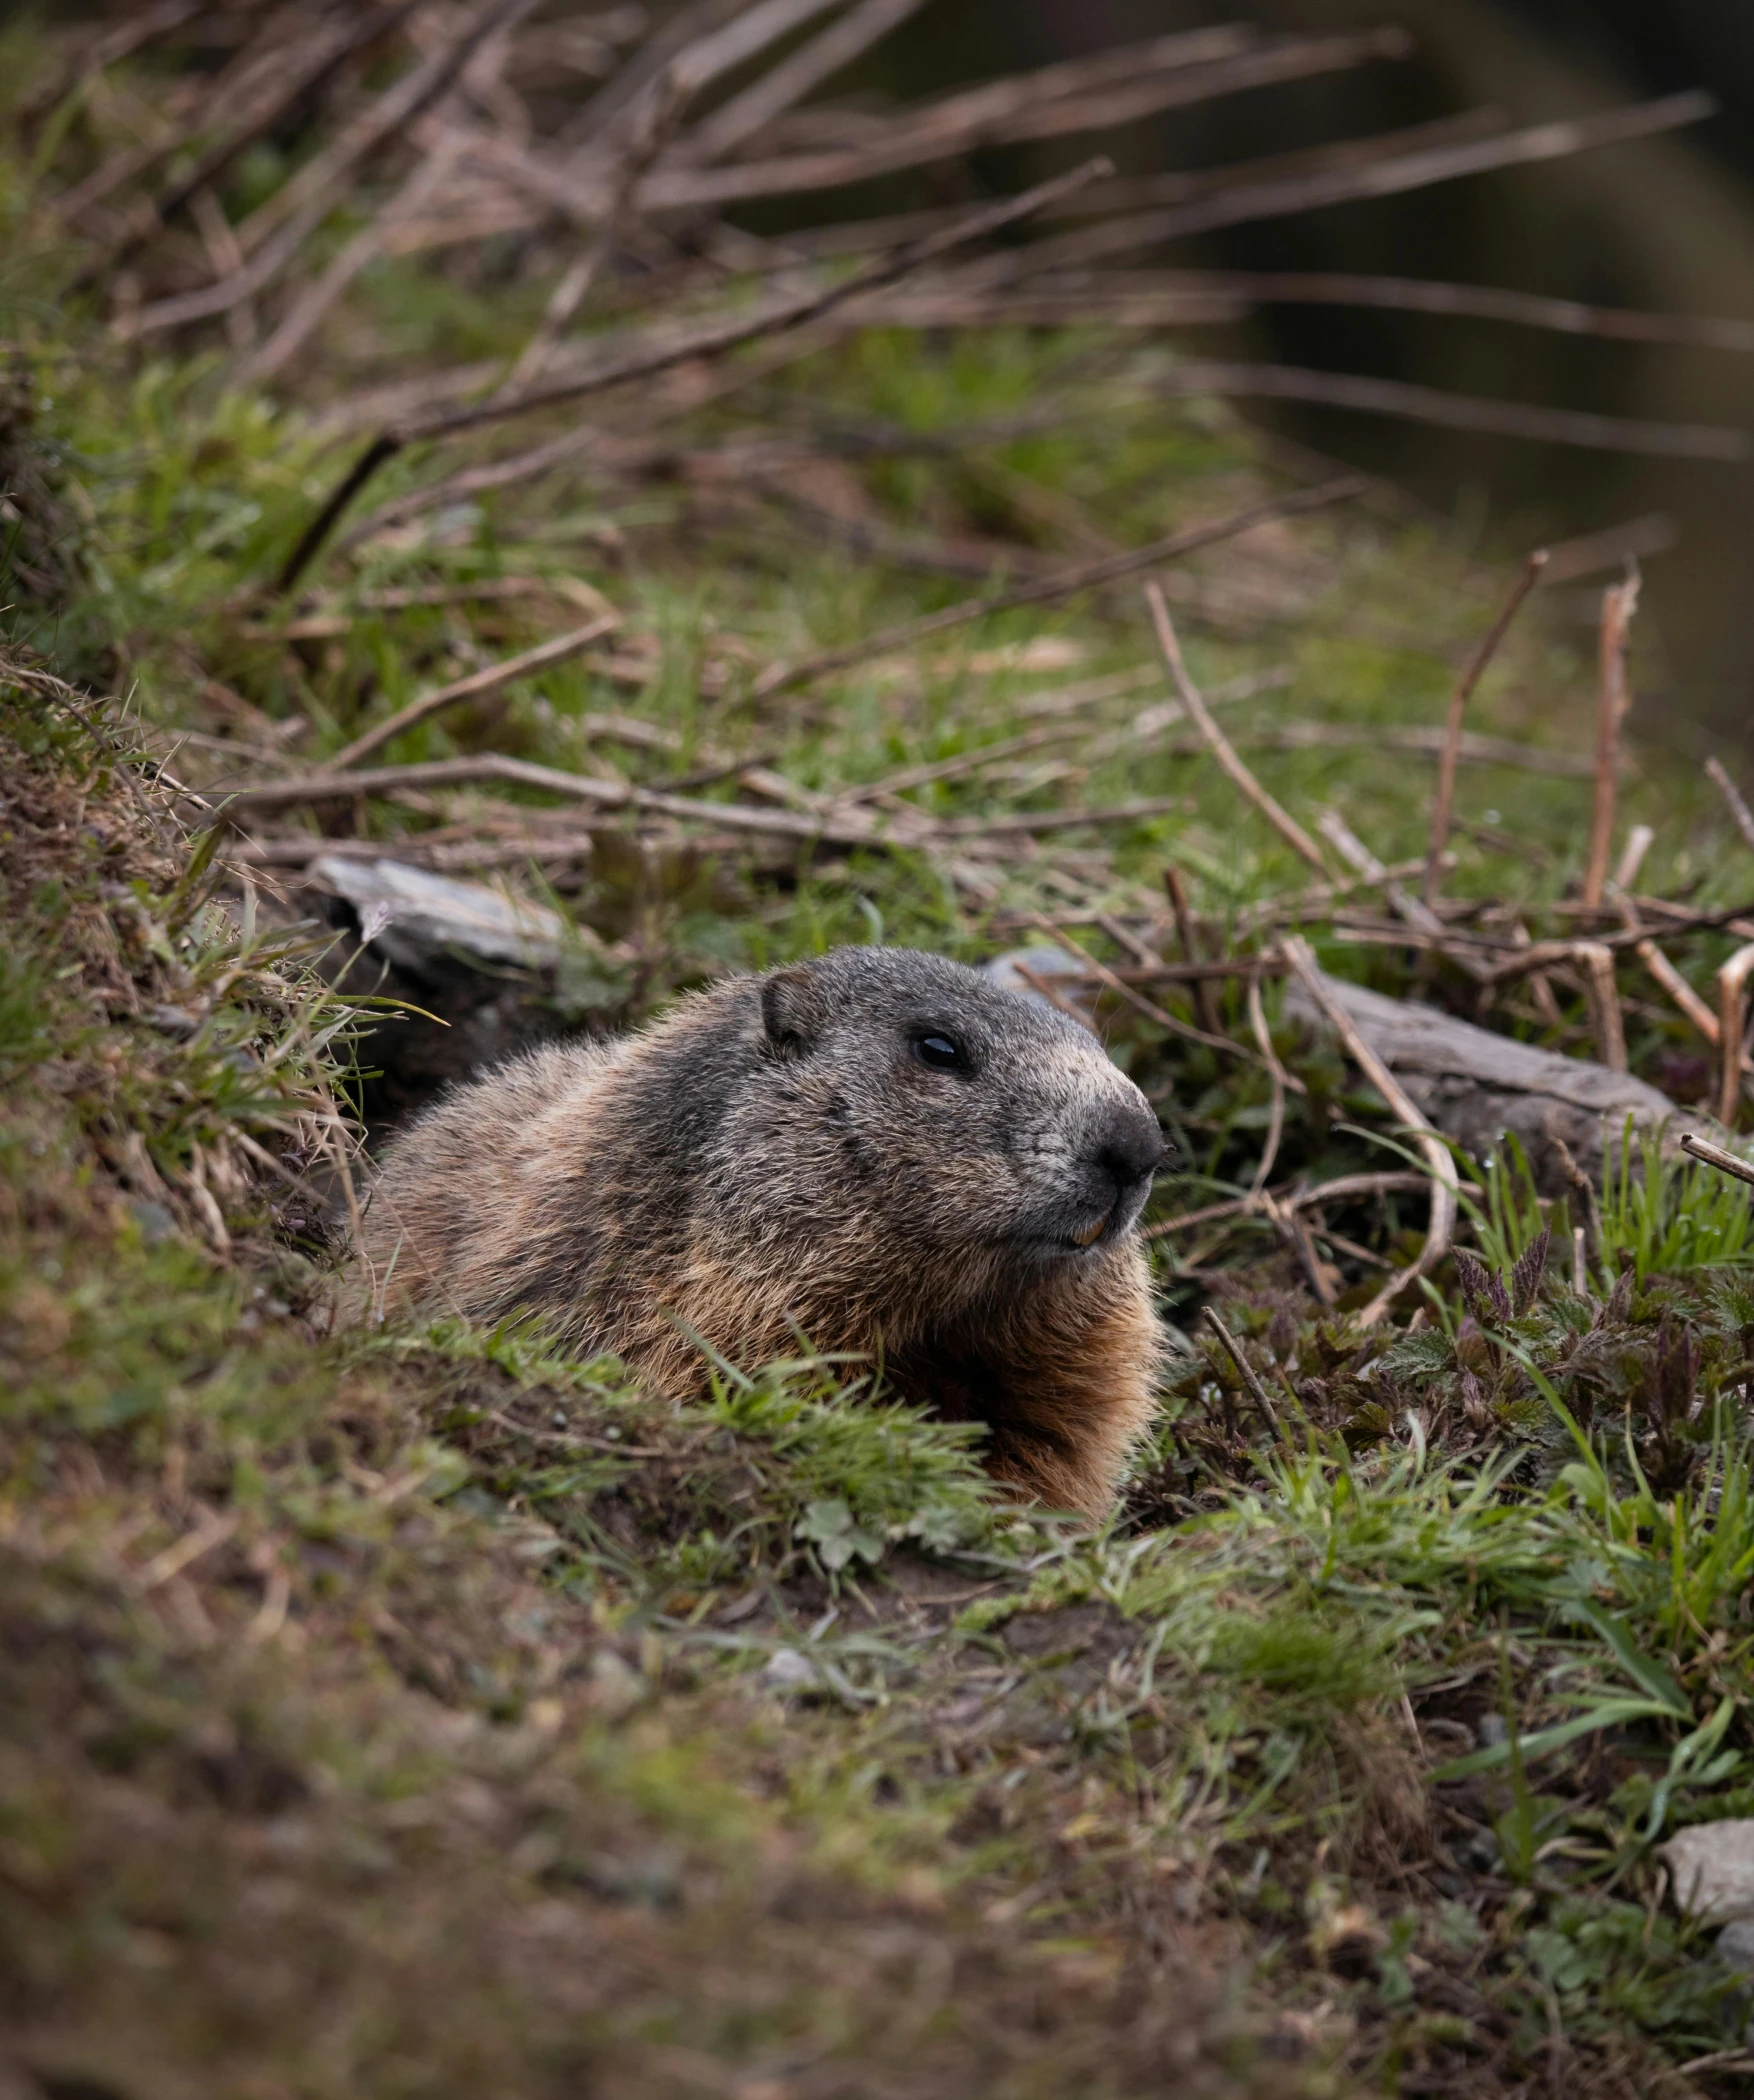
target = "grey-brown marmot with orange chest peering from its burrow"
x: 879, y: 1152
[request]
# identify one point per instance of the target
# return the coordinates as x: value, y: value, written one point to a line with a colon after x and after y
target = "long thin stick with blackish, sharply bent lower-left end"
x: 677, y: 352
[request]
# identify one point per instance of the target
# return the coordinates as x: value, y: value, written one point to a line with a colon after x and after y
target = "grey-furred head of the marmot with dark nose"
x: 900, y: 1099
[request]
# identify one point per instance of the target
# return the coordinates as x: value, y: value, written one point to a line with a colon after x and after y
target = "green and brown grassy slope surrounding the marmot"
x: 402, y: 1713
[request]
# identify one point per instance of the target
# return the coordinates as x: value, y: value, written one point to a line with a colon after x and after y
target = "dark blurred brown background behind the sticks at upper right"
x: 1663, y: 224
